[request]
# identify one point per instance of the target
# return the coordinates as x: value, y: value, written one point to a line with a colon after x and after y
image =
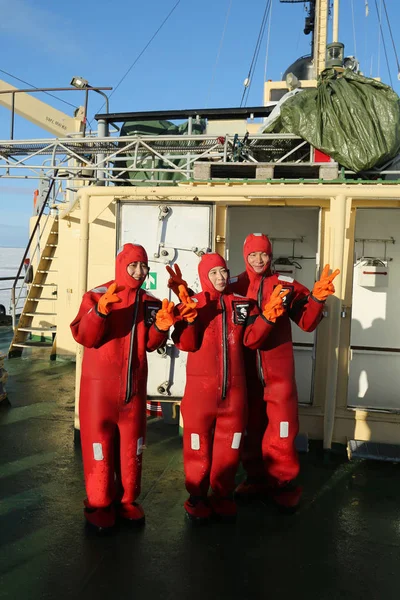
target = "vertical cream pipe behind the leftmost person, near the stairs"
x: 82, y: 286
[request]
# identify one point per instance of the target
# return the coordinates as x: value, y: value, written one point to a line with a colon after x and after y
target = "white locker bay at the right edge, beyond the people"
x: 374, y: 377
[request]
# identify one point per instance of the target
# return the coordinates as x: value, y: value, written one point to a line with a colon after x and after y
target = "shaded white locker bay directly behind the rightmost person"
x: 294, y: 232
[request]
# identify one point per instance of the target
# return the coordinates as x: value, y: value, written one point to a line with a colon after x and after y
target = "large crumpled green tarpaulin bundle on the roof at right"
x: 353, y: 119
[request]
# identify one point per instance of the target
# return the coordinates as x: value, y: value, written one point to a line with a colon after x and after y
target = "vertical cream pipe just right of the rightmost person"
x: 338, y: 217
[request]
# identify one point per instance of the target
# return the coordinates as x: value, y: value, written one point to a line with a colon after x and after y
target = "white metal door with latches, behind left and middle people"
x: 170, y: 233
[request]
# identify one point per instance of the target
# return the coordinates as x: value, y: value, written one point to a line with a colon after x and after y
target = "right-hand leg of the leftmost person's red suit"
x: 132, y: 430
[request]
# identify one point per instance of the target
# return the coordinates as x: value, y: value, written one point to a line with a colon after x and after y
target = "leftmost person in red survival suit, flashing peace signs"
x: 117, y: 324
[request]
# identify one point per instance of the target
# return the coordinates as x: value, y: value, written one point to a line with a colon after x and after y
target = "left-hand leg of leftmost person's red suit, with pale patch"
x: 98, y: 415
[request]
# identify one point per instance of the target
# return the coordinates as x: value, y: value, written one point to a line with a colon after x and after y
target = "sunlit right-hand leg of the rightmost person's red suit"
x: 278, y: 446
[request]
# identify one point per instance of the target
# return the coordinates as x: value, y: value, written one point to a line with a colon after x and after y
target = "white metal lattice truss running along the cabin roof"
x: 113, y: 160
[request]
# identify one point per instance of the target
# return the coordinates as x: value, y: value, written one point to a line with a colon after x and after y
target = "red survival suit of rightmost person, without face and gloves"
x: 269, y: 446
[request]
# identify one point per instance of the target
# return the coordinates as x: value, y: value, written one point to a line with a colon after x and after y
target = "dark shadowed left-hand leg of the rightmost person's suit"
x: 251, y: 455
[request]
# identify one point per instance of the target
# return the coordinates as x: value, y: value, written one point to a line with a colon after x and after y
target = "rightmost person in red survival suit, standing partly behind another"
x: 269, y: 454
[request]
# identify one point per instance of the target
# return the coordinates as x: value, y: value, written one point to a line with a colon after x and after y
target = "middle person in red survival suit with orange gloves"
x: 214, y: 406
